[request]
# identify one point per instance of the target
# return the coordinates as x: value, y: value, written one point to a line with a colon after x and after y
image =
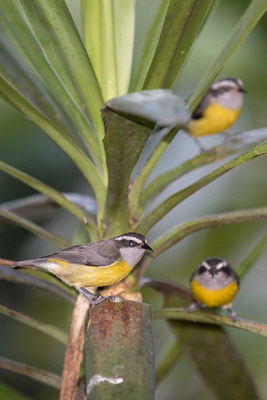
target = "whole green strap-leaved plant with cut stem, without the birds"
x: 60, y: 82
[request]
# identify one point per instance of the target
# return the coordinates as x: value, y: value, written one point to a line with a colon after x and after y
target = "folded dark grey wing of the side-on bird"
x: 95, y: 254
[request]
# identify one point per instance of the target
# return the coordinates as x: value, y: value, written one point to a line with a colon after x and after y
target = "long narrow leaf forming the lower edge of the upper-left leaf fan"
x: 64, y: 142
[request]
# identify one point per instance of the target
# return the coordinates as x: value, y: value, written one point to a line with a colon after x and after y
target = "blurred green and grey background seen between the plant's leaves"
x: 24, y: 146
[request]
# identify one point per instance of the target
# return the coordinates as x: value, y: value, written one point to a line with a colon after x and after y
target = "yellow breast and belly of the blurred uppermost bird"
x: 216, y: 118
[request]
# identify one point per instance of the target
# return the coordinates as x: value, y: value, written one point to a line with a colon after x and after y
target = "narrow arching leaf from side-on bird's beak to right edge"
x: 179, y: 232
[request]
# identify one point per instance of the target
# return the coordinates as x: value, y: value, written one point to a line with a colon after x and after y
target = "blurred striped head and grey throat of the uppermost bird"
x: 228, y: 92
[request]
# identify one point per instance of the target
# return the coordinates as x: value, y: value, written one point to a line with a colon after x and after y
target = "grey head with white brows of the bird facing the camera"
x: 215, y: 273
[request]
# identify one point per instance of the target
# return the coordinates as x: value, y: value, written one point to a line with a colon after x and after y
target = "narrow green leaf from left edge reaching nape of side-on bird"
x: 54, y: 195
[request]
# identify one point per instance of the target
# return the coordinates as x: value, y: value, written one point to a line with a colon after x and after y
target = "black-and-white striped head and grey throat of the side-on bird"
x: 131, y: 246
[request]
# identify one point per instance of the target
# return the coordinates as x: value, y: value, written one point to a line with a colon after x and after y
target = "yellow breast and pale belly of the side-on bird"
x: 82, y: 275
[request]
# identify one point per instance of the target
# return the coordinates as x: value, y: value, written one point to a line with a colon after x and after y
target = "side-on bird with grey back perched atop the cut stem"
x: 94, y: 264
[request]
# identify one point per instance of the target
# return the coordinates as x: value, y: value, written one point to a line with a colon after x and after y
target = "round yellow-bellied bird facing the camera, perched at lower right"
x: 214, y: 284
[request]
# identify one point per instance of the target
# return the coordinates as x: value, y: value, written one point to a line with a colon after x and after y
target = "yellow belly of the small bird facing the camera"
x: 214, y: 297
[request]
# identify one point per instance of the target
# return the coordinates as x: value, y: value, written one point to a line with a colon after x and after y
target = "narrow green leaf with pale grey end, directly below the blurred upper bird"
x: 234, y: 144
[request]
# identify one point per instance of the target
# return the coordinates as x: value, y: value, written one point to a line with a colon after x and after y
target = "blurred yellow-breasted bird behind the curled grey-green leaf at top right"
x: 218, y: 109
